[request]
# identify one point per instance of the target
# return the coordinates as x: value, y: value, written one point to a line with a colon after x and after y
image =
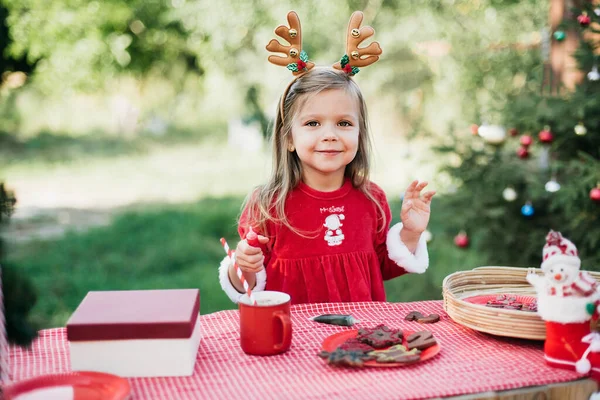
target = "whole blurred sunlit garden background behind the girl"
x: 131, y: 130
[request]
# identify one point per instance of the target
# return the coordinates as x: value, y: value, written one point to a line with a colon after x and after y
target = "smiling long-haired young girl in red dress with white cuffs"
x: 323, y: 226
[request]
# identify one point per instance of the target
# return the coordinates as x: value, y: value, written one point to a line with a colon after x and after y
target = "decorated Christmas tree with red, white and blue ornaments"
x: 538, y: 166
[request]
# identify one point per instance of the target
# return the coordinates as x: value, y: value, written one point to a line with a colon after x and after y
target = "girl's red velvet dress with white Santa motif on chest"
x: 345, y: 257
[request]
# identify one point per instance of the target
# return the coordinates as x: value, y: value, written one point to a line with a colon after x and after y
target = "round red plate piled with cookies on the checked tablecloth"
x: 379, y: 347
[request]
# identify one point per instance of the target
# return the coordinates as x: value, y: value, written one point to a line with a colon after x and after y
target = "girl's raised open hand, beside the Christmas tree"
x: 416, y: 207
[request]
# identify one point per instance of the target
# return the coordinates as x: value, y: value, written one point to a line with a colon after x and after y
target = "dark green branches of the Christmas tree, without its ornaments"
x: 503, y: 234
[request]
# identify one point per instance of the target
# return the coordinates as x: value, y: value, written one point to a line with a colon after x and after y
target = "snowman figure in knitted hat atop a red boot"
x: 567, y: 299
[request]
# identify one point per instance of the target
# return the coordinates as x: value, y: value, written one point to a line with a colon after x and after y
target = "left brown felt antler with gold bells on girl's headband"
x: 295, y: 59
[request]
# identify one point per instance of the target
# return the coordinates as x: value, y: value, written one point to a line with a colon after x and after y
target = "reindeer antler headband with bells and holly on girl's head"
x: 296, y: 59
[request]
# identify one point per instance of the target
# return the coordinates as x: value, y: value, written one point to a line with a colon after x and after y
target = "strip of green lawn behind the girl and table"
x: 177, y: 246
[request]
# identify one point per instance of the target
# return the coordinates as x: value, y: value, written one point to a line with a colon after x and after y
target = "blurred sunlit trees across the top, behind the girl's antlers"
x: 427, y: 44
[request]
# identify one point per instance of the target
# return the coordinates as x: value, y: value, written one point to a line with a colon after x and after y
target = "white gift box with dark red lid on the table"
x: 136, y: 333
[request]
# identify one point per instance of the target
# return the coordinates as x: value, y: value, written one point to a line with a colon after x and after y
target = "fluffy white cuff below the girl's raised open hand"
x: 399, y: 253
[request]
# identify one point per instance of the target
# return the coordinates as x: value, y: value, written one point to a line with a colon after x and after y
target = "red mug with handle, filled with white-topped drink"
x: 265, y: 328
